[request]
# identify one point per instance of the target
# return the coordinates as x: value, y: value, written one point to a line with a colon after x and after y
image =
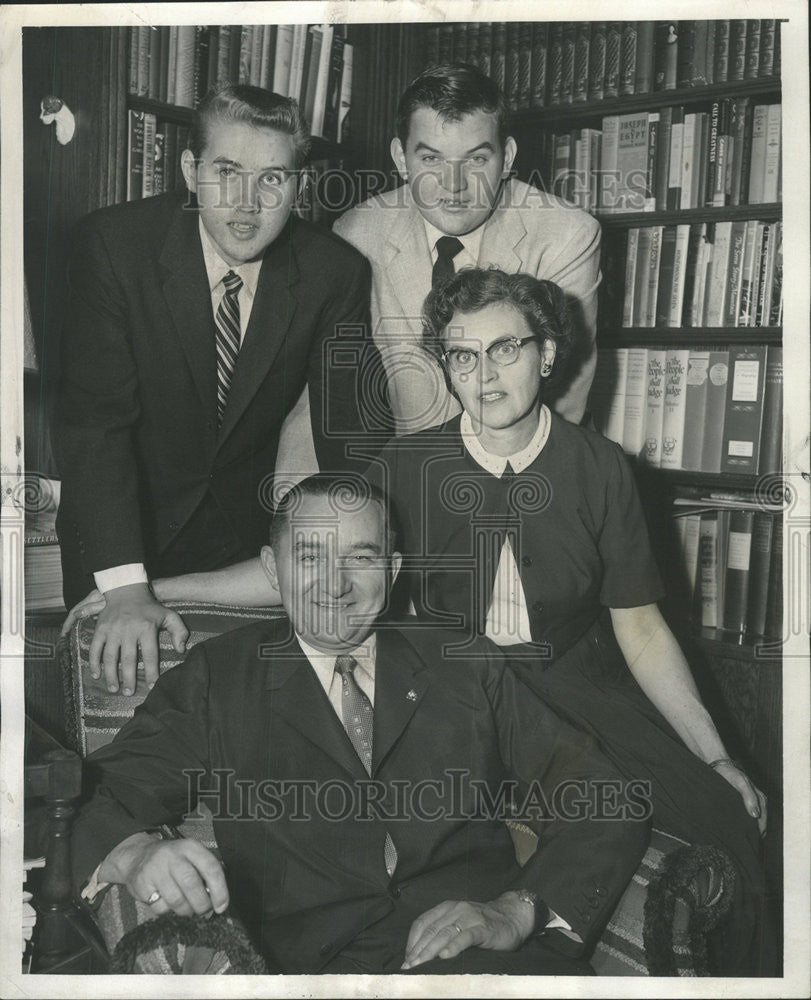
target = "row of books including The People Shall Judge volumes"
x: 693, y: 409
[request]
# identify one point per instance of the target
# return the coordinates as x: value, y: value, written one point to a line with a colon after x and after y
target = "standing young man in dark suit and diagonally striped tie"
x: 193, y: 326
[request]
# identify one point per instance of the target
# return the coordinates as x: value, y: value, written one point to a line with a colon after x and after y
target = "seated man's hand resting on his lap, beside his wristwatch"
x: 450, y: 928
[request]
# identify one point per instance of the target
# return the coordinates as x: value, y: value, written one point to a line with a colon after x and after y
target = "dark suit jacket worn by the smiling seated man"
x: 249, y: 704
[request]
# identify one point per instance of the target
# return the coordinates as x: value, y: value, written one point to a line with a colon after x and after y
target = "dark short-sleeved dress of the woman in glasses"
x: 580, y: 542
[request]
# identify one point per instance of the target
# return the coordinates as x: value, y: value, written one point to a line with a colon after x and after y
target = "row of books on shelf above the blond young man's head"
x: 311, y: 63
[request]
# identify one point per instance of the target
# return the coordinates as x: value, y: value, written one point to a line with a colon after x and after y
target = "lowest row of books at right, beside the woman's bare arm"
x: 731, y: 562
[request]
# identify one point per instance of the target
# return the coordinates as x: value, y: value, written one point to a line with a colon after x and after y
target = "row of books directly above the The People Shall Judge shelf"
x: 725, y: 274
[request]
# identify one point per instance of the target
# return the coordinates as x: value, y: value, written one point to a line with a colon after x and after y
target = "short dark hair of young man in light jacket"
x: 452, y: 90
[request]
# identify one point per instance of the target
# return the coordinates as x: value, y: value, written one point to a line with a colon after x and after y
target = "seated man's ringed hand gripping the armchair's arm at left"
x: 186, y: 876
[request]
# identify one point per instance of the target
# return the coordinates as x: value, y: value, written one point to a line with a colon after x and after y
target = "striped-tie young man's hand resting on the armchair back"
x: 131, y: 619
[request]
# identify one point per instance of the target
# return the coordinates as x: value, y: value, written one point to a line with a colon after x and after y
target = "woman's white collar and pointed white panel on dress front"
x: 507, y: 619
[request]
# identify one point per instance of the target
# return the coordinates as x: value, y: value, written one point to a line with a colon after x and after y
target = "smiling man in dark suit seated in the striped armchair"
x: 359, y: 774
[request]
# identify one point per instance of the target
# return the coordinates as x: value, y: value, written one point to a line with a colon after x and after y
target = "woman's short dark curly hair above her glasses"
x: 540, y: 302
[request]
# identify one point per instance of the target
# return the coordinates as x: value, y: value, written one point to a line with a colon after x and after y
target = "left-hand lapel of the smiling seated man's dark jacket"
x: 298, y: 698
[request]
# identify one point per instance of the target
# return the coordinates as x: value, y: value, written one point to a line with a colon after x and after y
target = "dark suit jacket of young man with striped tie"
x: 136, y: 436
